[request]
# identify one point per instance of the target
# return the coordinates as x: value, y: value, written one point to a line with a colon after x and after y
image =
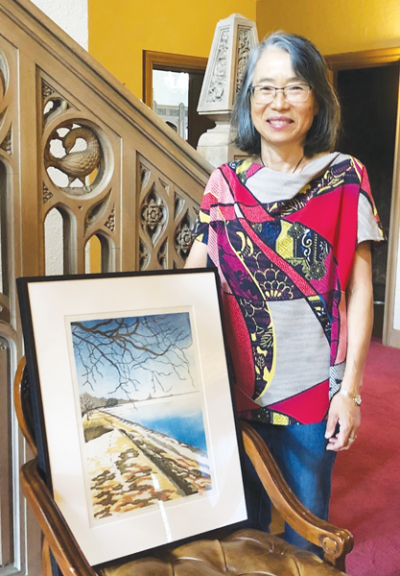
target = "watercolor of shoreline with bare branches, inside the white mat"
x: 141, y: 411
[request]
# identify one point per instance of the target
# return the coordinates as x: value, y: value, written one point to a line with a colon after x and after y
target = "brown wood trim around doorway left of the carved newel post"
x: 164, y: 61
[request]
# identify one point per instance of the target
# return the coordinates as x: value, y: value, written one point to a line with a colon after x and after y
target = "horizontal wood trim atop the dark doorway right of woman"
x: 363, y: 59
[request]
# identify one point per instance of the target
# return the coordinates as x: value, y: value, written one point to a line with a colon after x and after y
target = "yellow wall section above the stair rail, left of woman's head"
x: 119, y: 31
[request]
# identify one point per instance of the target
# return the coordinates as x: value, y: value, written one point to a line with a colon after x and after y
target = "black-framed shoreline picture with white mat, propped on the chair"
x: 134, y: 402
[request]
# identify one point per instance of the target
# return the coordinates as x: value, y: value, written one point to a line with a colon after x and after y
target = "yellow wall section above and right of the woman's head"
x: 335, y: 26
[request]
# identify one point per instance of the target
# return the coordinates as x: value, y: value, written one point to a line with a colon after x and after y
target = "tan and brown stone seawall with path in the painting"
x: 131, y: 466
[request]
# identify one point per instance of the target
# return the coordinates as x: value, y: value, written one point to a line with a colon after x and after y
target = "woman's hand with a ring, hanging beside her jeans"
x: 345, y: 413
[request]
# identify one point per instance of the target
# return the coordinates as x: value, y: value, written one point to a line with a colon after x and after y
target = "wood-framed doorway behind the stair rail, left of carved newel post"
x: 195, y: 68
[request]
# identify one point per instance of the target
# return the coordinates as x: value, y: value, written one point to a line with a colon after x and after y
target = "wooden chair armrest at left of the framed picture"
x: 64, y: 547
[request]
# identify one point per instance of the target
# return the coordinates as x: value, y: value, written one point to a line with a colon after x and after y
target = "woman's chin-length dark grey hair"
x: 308, y: 63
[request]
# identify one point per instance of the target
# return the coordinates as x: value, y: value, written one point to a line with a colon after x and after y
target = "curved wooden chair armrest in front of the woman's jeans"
x: 335, y: 542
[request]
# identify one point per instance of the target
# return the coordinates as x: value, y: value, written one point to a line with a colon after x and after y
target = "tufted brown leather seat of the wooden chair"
x: 243, y: 553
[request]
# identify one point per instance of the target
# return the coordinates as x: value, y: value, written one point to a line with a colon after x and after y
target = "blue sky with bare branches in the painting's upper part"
x: 155, y: 356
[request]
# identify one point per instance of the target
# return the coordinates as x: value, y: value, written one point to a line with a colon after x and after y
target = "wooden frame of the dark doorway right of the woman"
x: 370, y: 59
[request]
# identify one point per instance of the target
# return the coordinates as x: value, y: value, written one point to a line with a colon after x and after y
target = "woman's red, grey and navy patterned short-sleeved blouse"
x: 284, y: 246
